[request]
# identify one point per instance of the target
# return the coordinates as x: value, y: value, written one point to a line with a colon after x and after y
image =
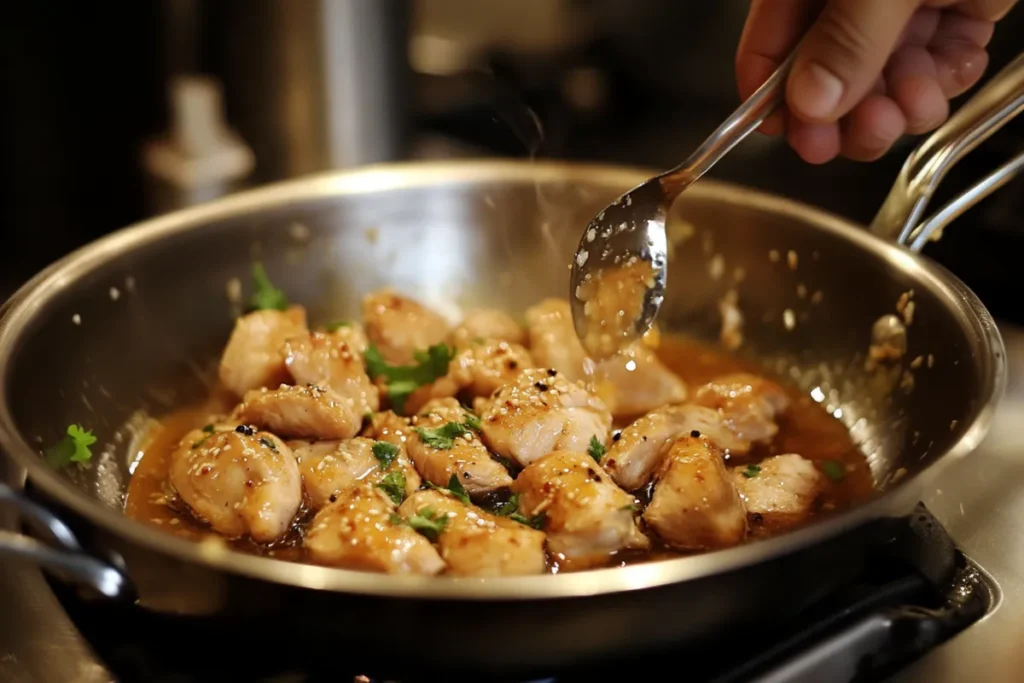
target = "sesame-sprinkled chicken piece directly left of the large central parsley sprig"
x: 327, y: 360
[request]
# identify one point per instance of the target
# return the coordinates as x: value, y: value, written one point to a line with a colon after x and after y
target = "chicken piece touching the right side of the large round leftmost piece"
x: 331, y: 468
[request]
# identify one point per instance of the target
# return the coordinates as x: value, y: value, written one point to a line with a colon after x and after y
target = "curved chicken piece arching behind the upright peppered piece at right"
x: 636, y: 452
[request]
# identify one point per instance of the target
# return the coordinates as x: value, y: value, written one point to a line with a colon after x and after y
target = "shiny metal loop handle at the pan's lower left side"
x: 62, y: 554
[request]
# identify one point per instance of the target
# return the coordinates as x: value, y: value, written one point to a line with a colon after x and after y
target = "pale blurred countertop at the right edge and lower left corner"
x: 980, y: 500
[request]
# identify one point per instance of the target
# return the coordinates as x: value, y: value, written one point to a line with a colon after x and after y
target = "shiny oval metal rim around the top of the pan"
x: 380, y: 178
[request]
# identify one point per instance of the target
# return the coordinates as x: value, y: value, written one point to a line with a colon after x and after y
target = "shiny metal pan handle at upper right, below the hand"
x: 901, y: 218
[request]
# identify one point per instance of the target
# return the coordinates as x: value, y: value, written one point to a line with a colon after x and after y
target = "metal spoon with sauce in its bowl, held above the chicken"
x: 620, y: 270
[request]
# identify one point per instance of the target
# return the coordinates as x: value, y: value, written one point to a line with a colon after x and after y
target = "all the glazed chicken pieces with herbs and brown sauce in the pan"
x: 400, y: 444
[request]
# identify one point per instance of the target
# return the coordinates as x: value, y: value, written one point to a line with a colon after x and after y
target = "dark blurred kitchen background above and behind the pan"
x: 115, y: 112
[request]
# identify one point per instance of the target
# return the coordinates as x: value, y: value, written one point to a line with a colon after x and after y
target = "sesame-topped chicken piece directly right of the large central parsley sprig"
x: 480, y: 369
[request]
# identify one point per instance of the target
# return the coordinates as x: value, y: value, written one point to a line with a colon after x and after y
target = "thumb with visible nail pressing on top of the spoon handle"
x: 843, y: 55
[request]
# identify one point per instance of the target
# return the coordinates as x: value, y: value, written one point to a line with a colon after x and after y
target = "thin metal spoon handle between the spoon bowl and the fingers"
x: 742, y: 123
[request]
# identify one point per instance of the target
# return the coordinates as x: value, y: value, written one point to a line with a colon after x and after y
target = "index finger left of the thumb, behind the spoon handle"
x: 773, y: 28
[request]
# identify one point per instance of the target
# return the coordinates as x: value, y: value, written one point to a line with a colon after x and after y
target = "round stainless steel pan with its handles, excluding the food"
x: 136, y: 320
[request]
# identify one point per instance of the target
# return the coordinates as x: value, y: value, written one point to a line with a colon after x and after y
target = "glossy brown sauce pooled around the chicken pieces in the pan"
x: 806, y: 430
